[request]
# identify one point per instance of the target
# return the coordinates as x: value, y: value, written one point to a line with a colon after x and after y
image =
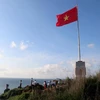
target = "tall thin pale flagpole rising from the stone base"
x: 79, y: 49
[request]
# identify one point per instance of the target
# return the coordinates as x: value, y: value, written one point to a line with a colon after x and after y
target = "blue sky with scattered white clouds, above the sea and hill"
x: 32, y: 46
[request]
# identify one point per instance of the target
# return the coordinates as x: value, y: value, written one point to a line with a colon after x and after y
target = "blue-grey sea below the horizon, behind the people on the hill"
x: 14, y: 82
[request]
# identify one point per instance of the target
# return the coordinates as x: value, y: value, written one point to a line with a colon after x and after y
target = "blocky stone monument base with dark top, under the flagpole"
x: 80, y: 70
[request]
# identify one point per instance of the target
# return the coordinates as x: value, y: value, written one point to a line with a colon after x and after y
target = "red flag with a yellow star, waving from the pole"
x: 67, y: 17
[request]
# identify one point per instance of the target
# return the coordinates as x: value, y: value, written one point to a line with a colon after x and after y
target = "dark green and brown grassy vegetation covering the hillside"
x: 70, y: 89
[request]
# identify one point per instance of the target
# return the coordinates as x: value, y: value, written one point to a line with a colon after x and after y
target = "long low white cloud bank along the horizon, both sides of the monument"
x: 48, y: 71
